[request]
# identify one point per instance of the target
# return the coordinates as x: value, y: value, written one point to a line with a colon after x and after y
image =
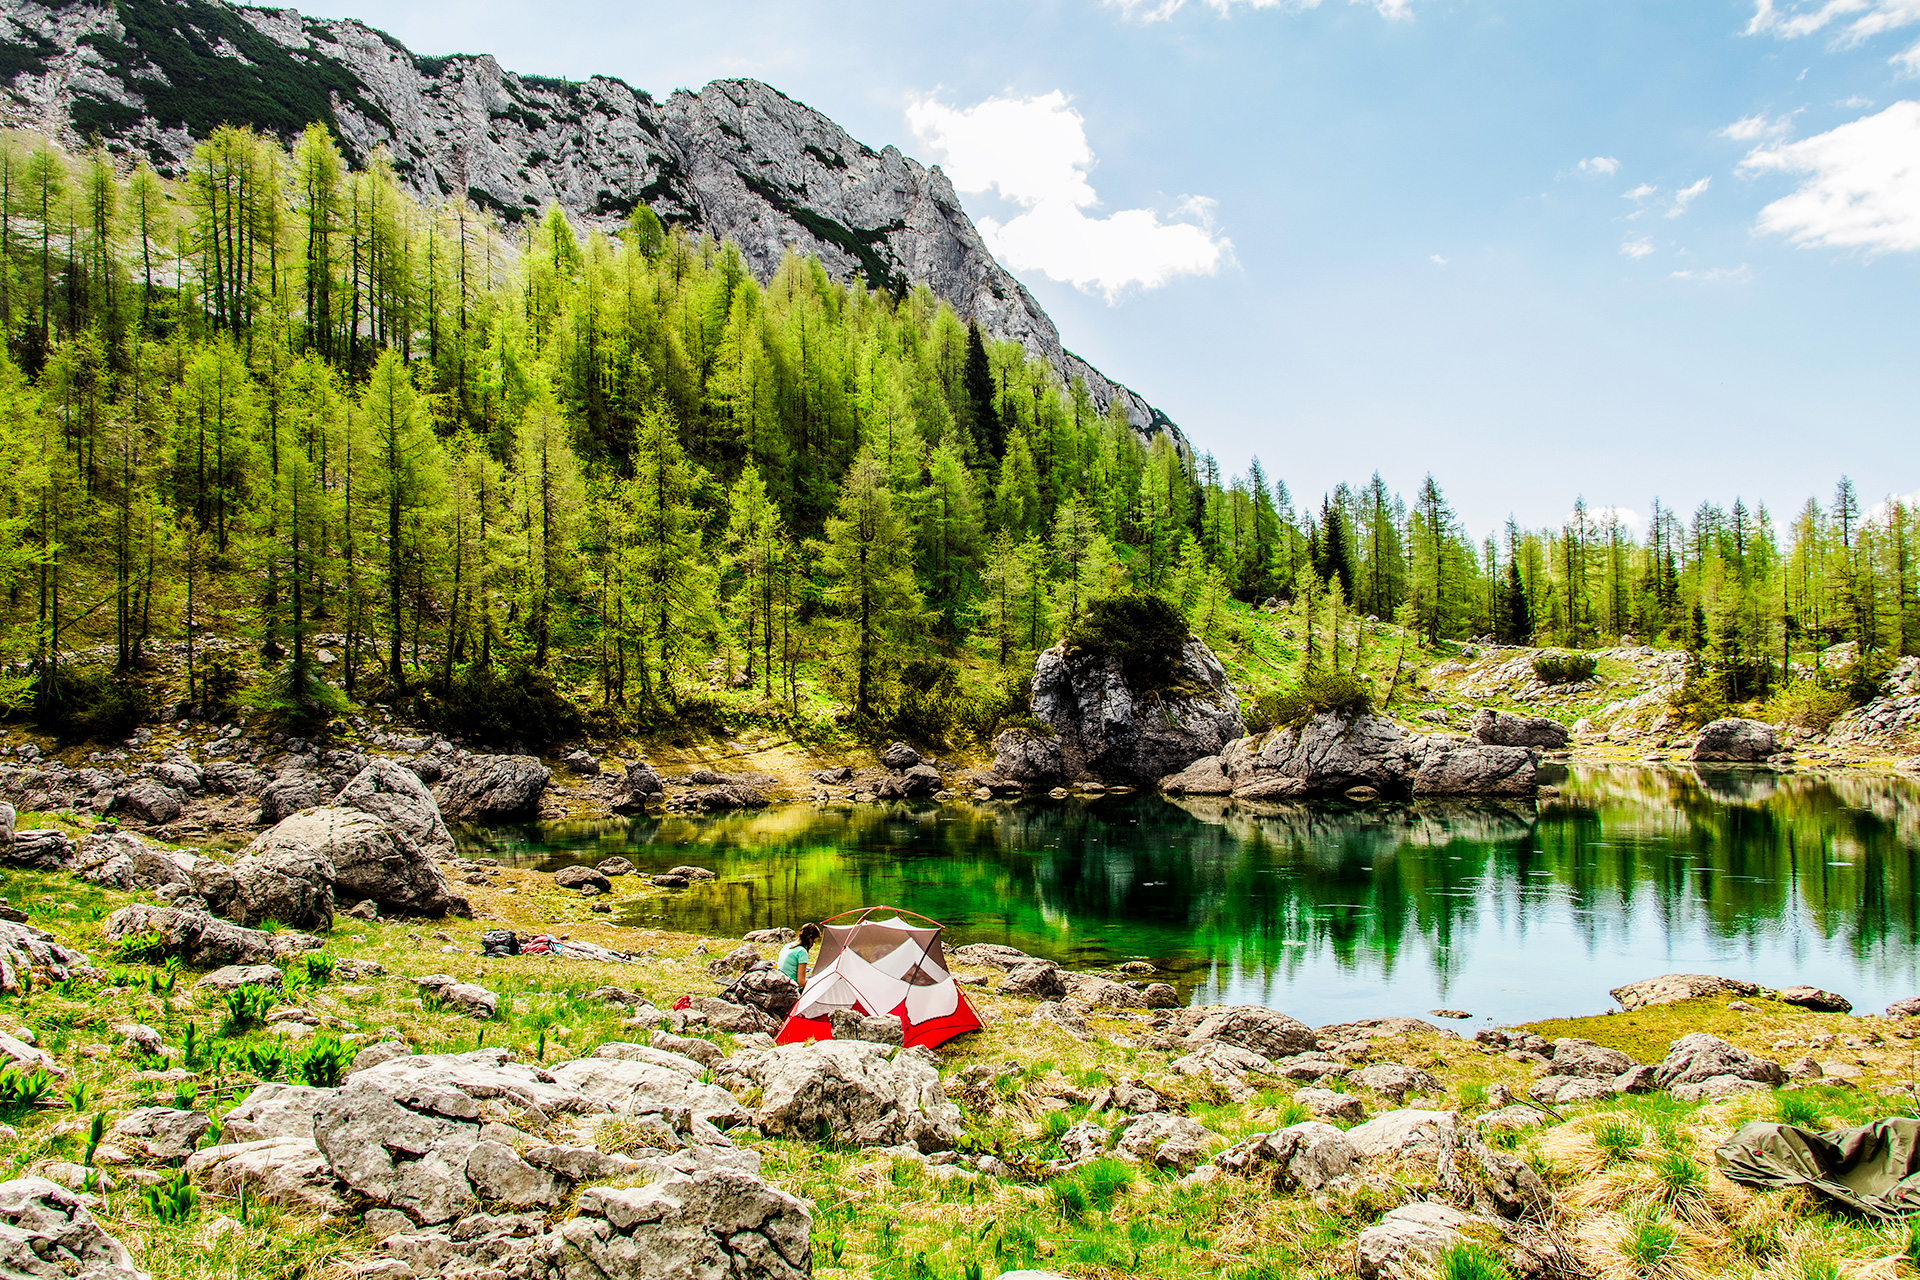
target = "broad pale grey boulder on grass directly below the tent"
x: 848, y: 1091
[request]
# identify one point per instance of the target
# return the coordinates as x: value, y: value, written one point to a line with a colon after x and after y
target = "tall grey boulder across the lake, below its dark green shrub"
x: 1113, y: 734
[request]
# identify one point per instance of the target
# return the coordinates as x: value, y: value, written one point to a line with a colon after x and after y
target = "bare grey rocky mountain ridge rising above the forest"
x: 738, y: 160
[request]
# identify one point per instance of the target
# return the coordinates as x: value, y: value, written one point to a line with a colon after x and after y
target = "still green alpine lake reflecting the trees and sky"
x: 1332, y: 911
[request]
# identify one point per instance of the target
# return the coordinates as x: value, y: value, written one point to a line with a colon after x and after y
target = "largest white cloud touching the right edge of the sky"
x: 1860, y: 185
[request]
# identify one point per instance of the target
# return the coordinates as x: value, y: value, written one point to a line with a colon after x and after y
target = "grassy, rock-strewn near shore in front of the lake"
x: 421, y: 1102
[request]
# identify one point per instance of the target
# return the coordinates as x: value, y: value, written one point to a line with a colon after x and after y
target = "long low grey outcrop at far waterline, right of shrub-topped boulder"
x: 1332, y: 755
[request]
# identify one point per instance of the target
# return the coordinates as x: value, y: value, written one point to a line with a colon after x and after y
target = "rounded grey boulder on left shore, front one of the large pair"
x: 370, y: 861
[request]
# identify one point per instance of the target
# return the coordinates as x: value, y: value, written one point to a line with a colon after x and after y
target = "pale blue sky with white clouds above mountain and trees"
x: 1355, y: 235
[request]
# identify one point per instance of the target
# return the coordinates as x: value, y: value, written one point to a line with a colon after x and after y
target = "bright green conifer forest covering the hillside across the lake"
x: 279, y: 398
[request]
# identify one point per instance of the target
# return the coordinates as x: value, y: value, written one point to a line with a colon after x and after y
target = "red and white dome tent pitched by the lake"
x: 876, y: 962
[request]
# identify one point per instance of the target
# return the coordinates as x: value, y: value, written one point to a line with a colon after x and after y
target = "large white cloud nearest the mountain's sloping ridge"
x: 1034, y: 153
